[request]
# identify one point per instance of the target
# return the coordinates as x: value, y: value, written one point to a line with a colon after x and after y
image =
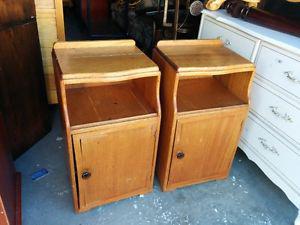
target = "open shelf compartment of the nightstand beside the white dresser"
x: 212, y: 92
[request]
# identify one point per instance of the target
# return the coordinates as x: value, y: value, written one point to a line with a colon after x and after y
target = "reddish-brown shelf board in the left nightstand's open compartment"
x: 95, y: 104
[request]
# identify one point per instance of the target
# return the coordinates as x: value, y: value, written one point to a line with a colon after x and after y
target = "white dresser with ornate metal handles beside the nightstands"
x: 271, y: 136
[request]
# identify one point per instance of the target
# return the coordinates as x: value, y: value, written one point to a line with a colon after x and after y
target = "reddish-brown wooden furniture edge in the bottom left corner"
x: 10, y: 184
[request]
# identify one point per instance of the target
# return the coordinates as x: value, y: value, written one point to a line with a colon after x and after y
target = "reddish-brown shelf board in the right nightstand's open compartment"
x: 204, y: 93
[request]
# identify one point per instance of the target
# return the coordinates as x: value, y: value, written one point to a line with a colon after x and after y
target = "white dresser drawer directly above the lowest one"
x: 279, y: 113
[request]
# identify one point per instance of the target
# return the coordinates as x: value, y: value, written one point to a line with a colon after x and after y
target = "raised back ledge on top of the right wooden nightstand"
x: 197, y: 42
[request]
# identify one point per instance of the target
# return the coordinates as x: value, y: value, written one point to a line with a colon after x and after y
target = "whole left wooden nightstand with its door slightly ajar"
x: 109, y: 97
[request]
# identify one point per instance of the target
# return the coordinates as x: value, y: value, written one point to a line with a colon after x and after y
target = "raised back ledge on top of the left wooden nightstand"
x: 92, y: 44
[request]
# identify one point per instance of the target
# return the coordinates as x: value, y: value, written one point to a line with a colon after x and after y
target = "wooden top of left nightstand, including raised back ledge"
x: 101, y: 59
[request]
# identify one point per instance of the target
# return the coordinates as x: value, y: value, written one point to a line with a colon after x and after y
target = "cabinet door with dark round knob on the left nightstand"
x: 115, y: 161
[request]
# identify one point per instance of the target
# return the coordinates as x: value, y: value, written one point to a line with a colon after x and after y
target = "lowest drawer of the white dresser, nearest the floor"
x: 273, y: 151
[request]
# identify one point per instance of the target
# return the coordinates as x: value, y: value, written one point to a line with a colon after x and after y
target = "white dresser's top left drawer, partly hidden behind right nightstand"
x: 241, y: 44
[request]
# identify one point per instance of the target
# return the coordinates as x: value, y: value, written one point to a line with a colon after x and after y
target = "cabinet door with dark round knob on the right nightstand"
x: 204, y: 146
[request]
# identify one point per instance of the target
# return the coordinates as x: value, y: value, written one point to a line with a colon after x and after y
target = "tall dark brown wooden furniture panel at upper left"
x: 23, y: 99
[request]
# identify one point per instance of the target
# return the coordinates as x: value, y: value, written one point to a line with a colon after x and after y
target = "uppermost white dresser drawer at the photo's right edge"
x: 279, y: 69
